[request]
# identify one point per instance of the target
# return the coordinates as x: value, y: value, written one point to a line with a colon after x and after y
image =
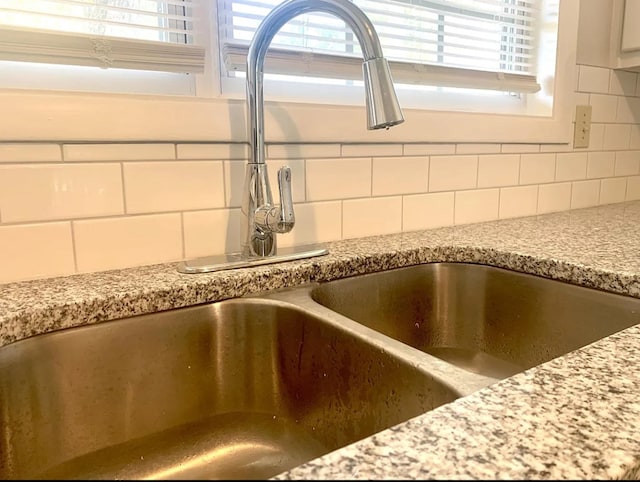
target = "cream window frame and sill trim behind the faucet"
x: 44, y: 115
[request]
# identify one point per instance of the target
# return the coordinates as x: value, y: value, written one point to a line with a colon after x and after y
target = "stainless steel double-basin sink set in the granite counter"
x: 251, y: 387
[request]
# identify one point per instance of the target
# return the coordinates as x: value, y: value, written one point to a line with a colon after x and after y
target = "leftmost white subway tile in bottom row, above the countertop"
x: 33, y: 251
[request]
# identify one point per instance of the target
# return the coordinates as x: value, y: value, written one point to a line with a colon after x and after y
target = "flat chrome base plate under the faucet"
x: 222, y: 262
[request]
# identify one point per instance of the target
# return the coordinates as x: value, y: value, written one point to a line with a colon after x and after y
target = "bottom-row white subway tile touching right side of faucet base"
x: 315, y: 223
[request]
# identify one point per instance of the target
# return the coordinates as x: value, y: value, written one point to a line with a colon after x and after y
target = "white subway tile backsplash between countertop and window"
x: 71, y: 208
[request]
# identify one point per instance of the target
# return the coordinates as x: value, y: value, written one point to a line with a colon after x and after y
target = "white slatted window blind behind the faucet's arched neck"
x: 481, y: 44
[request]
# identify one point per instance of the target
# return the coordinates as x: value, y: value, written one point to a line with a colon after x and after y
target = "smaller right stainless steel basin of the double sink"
x: 486, y: 320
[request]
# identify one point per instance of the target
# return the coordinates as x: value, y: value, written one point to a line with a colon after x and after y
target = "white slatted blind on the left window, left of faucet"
x: 153, y: 35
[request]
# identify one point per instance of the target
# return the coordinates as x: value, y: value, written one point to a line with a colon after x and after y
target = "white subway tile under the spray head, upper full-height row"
x: 400, y: 175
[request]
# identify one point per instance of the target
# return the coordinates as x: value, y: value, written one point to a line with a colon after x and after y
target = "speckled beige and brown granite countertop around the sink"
x: 575, y: 417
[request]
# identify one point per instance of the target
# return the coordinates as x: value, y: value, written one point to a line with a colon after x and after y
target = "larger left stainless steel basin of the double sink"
x: 243, y: 388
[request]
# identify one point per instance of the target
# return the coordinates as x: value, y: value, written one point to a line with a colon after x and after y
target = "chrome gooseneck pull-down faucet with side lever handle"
x: 261, y: 218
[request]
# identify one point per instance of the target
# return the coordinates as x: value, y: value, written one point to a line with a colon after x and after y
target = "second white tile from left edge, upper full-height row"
x: 173, y: 186
